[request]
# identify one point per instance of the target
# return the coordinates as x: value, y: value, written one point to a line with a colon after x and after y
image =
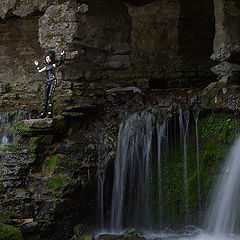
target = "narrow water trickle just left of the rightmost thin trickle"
x: 183, y: 124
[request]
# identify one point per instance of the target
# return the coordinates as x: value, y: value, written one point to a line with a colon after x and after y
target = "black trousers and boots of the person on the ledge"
x: 48, y: 103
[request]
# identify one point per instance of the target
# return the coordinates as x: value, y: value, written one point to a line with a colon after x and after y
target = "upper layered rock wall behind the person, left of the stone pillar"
x: 108, y: 44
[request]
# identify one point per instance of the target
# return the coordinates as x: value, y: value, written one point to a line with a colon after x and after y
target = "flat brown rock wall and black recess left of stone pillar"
x: 170, y: 41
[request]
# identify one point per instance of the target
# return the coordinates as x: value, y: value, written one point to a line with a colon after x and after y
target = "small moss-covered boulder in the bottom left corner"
x: 10, y: 233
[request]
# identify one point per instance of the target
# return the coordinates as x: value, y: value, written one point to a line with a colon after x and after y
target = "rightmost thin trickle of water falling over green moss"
x: 196, y: 117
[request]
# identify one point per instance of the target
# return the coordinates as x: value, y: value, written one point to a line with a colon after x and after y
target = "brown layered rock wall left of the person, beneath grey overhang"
x: 19, y: 81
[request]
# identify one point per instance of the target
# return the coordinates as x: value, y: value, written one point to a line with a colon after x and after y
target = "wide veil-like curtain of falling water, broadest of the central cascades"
x: 132, y: 196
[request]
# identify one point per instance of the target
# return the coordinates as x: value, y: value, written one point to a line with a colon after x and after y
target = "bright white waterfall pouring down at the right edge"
x: 224, y: 216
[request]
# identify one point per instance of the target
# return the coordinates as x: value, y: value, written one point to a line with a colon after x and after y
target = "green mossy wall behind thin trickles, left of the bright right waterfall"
x: 216, y: 135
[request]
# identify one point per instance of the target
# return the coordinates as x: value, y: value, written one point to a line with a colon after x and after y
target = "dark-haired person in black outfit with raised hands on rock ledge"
x: 51, y: 82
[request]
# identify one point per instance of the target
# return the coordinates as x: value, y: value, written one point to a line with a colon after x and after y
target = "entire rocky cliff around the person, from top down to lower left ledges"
x: 116, y: 52
